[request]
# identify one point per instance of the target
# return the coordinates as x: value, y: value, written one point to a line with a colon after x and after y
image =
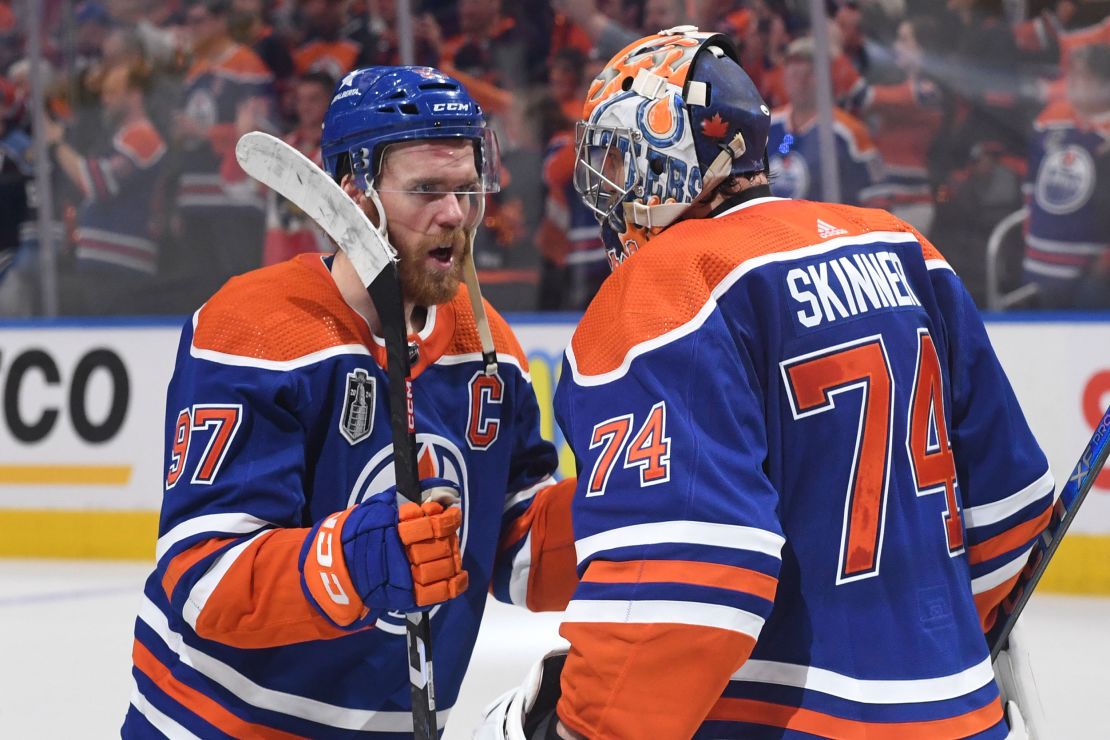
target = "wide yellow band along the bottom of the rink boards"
x: 1081, y: 566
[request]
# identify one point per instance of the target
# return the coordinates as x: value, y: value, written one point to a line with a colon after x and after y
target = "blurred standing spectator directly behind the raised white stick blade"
x: 223, y: 211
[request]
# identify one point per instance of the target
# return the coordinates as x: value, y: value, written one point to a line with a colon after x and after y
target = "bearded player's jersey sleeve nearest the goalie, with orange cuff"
x: 536, y: 563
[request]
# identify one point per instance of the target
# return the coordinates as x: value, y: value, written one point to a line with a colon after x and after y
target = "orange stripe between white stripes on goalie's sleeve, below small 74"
x: 683, y: 572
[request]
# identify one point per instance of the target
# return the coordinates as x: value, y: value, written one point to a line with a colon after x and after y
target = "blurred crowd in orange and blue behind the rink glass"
x: 982, y: 123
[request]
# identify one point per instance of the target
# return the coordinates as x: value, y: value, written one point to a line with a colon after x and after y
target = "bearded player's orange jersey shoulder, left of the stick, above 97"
x: 279, y: 313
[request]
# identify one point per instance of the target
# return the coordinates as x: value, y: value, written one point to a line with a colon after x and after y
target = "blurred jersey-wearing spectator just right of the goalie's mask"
x: 795, y: 143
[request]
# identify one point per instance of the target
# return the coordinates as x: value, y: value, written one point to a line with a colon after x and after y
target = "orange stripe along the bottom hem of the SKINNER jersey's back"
x: 828, y: 726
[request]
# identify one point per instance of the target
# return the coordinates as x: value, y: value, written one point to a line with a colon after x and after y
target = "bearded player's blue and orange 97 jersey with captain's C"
x: 277, y: 418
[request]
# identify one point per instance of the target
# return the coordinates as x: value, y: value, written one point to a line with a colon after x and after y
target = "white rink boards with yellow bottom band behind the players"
x: 82, y: 440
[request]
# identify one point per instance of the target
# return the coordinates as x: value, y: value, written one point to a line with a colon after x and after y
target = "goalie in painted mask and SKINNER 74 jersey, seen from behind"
x: 806, y: 483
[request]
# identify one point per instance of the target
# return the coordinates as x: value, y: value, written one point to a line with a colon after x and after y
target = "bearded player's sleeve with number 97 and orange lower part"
x: 233, y: 526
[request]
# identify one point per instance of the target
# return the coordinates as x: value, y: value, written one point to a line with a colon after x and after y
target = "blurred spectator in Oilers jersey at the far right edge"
x: 1068, y: 229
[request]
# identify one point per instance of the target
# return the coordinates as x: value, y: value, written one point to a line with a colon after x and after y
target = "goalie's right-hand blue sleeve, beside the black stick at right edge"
x: 1006, y: 488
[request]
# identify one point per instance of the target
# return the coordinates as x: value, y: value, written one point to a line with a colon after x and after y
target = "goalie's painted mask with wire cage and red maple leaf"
x: 668, y: 120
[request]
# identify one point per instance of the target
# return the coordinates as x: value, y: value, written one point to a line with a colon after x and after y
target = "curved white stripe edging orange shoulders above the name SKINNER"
x: 722, y: 288
